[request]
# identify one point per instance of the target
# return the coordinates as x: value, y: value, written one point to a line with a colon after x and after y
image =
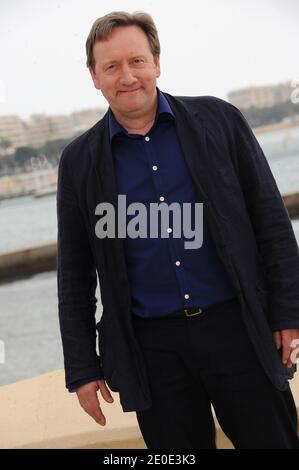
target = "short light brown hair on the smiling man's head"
x: 103, y: 26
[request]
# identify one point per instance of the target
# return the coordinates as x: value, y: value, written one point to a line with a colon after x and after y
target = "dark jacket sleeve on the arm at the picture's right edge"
x: 273, y: 229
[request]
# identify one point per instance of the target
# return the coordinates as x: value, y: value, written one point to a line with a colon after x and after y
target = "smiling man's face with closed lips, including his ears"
x: 125, y: 71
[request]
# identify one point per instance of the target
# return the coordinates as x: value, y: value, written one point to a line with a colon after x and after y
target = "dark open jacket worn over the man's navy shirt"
x: 248, y: 222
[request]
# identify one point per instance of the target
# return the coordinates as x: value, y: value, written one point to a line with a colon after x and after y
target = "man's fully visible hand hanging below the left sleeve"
x: 88, y: 398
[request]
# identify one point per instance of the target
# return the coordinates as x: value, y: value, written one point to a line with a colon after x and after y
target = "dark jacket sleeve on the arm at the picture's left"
x: 76, y: 283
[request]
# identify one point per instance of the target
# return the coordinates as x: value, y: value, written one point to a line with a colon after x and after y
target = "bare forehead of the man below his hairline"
x: 123, y: 41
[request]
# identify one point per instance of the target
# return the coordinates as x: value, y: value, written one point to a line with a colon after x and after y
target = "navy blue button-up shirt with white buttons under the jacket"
x: 164, y: 276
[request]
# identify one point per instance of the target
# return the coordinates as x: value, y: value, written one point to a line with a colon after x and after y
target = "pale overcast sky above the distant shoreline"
x: 208, y: 47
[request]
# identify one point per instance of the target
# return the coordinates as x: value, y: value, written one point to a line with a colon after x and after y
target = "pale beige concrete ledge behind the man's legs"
x: 39, y: 413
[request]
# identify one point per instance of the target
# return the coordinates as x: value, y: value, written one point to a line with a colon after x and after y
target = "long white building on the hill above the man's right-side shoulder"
x: 261, y: 96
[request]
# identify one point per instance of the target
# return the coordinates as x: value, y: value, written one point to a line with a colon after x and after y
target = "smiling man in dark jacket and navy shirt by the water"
x: 181, y: 328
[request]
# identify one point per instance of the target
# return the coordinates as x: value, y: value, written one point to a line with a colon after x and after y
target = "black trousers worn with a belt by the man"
x: 194, y: 362
